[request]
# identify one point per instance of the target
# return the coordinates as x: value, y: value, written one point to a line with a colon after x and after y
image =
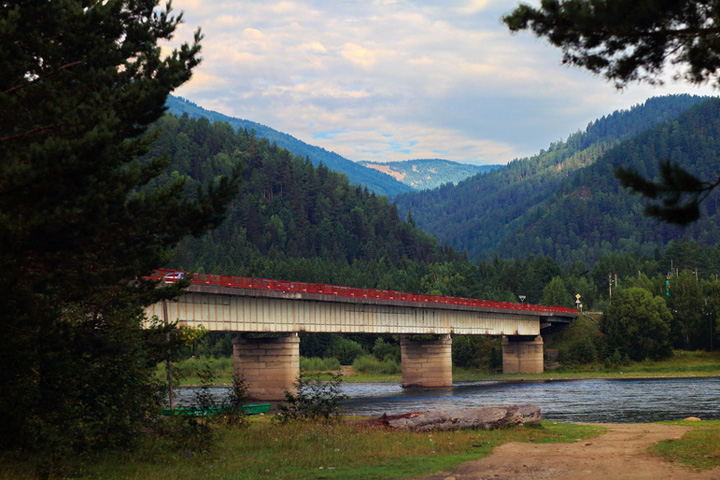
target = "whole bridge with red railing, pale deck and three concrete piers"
x: 270, y: 366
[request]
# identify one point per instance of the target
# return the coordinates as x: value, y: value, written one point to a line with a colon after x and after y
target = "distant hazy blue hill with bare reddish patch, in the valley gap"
x: 430, y: 173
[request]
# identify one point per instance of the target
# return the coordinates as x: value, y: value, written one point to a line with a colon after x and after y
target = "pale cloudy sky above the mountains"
x: 392, y: 80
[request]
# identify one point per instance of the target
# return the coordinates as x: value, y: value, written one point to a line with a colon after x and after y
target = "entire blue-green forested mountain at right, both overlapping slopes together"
x: 564, y: 202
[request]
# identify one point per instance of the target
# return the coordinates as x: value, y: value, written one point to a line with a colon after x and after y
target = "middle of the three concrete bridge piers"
x: 426, y: 363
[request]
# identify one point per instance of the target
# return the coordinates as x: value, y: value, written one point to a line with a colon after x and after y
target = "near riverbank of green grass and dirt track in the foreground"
x: 348, y: 451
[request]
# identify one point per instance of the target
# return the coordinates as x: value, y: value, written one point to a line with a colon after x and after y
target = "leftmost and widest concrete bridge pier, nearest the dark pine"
x: 269, y: 366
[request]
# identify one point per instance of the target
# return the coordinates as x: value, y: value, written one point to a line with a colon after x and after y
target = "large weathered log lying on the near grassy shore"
x: 457, y: 418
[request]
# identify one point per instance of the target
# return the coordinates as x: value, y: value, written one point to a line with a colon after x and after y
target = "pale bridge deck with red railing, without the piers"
x: 242, y: 304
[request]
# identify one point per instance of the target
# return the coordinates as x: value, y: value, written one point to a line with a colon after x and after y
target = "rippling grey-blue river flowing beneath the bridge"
x: 587, y: 400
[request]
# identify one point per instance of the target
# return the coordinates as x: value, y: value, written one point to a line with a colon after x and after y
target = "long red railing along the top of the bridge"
x: 252, y: 283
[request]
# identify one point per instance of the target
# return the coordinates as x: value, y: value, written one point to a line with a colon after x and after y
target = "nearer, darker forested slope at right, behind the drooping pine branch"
x: 591, y: 213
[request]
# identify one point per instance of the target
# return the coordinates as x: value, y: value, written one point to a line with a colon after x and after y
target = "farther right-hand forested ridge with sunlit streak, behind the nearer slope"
x: 485, y: 214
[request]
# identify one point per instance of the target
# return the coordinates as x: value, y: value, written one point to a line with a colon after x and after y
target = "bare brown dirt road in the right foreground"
x: 619, y: 454
